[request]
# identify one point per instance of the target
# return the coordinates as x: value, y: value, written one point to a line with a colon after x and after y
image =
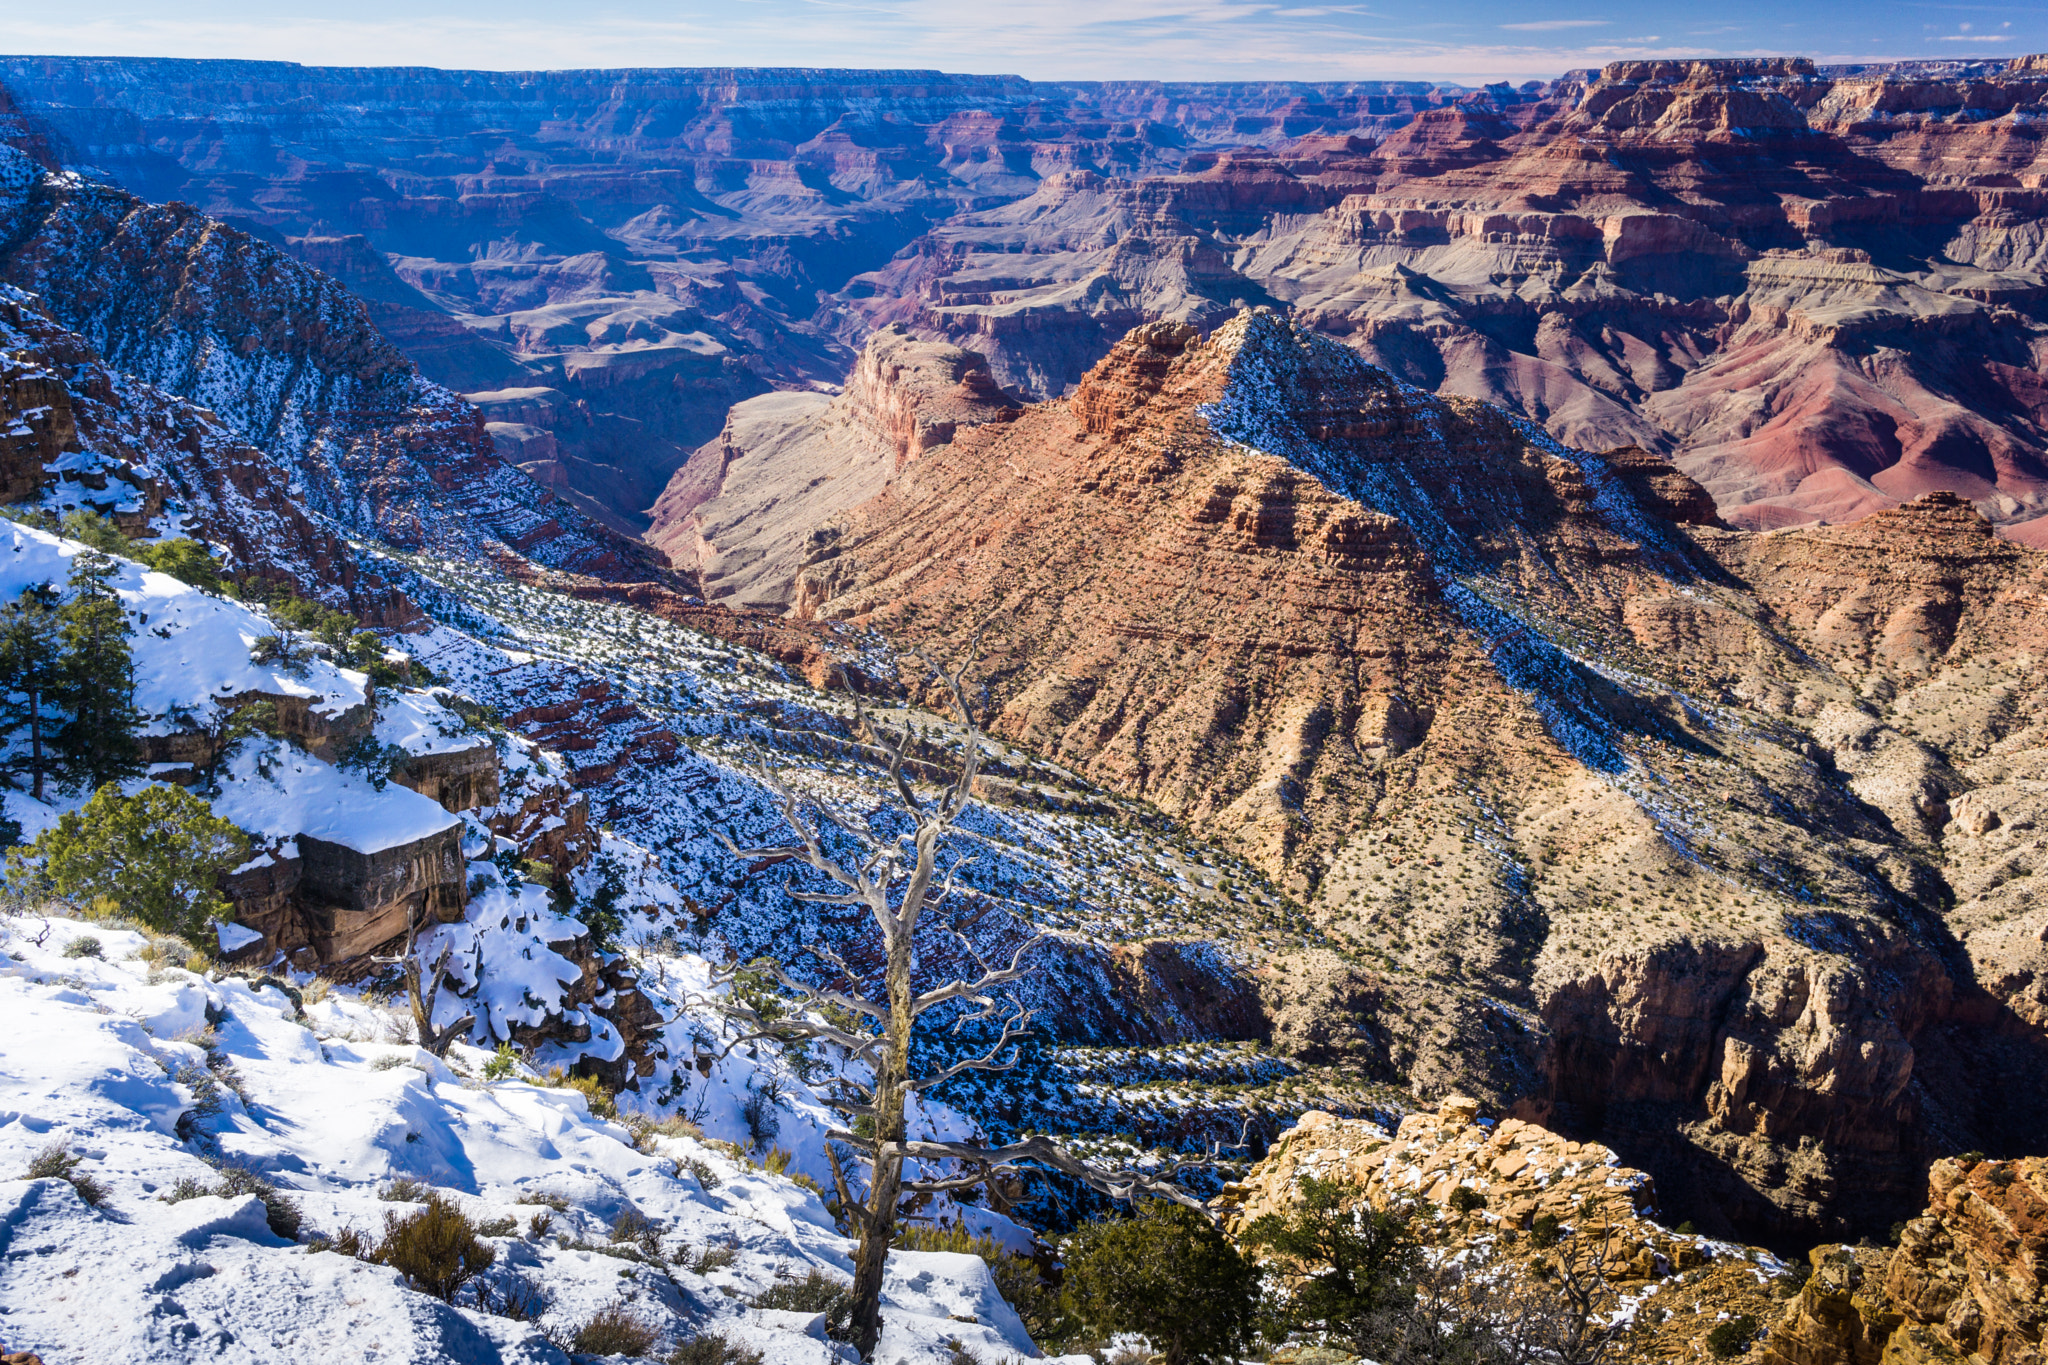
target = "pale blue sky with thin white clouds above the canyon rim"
x: 1050, y: 40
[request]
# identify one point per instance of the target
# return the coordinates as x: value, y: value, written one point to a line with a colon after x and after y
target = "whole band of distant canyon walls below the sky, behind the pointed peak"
x: 1816, y: 290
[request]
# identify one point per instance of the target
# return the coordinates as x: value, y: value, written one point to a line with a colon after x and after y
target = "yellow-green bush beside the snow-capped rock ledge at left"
x: 157, y: 854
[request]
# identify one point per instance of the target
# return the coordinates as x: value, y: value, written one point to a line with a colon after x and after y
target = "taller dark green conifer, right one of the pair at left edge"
x: 99, y: 678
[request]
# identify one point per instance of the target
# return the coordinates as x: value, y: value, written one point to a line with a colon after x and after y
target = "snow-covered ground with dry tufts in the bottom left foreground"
x: 108, y: 1053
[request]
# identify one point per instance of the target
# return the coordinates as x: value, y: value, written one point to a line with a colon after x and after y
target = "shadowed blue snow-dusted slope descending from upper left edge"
x: 286, y: 361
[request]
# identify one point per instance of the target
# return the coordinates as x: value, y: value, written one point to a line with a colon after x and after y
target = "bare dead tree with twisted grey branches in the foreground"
x: 894, y: 881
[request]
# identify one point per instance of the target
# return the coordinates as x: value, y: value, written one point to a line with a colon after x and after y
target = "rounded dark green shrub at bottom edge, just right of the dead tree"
x: 1166, y: 1274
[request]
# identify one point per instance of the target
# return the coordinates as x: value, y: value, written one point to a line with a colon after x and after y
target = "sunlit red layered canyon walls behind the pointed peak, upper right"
x: 1811, y: 290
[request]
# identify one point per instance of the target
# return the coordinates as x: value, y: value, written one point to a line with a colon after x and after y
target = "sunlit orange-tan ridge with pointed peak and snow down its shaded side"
x: 1635, y: 822
